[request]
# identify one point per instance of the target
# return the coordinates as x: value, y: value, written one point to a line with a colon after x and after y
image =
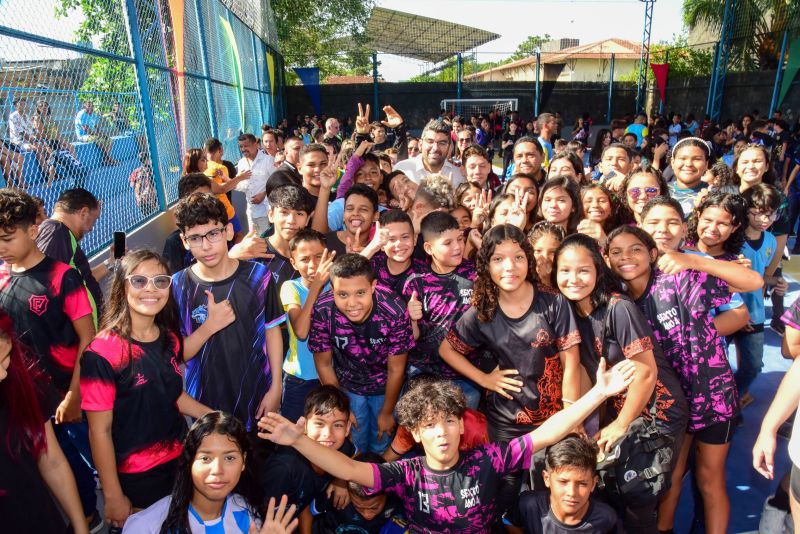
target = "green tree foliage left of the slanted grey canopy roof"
x: 329, y: 35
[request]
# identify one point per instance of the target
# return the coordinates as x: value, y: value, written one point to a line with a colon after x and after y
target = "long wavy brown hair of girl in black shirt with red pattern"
x: 485, y: 296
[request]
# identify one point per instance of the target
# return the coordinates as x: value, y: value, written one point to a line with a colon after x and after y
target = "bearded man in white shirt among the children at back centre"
x: 435, y: 146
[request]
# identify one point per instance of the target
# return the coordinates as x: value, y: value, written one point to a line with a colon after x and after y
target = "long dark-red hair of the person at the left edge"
x: 25, y: 435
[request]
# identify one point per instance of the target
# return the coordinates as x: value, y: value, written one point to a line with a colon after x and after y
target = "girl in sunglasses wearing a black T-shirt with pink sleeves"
x: 132, y: 389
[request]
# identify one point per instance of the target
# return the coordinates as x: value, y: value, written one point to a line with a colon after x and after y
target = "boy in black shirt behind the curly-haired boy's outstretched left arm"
x: 327, y: 422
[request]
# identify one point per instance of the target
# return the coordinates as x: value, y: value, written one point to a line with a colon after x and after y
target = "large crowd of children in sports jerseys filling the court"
x: 401, y: 339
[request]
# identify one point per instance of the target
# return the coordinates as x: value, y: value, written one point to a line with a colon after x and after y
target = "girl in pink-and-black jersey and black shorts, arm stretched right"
x: 676, y: 292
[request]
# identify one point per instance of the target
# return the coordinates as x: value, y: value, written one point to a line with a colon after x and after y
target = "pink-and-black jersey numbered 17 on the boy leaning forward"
x: 361, y: 351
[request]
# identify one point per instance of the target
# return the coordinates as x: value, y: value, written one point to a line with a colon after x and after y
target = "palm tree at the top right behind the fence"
x: 758, y: 27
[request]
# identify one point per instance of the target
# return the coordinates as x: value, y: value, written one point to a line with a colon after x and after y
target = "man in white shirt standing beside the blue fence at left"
x: 254, y: 188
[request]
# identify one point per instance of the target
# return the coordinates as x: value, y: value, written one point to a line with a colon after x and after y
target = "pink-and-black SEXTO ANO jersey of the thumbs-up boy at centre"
x: 445, y: 298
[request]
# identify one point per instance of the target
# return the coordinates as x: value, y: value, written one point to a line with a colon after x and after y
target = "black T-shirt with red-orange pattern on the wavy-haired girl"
x: 530, y: 344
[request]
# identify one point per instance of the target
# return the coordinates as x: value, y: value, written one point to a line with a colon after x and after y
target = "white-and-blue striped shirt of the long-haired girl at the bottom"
x: 235, y: 519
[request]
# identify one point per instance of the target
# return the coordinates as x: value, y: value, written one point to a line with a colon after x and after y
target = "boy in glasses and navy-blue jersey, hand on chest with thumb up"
x: 229, y: 317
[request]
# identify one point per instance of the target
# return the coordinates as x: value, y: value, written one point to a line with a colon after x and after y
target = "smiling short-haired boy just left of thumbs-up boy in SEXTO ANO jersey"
x: 392, y: 250
